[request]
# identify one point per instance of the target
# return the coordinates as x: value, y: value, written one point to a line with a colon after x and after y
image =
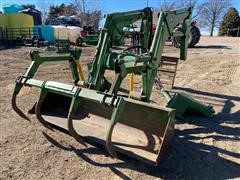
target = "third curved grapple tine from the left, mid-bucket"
x: 72, y: 131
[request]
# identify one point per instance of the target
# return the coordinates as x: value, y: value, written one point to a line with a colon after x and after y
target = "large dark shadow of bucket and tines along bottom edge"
x: 186, y: 160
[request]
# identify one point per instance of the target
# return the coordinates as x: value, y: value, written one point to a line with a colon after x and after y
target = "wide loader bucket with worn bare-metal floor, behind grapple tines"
x: 142, y: 131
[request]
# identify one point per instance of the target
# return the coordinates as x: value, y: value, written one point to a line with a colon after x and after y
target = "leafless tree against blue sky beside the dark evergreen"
x: 211, y: 13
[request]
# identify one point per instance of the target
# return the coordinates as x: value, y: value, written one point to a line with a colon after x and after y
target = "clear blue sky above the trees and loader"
x: 106, y: 6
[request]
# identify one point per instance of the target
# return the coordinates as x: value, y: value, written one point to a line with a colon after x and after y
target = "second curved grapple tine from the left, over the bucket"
x: 38, y: 110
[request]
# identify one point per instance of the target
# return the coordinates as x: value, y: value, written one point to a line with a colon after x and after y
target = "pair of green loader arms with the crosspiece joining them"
x: 145, y: 64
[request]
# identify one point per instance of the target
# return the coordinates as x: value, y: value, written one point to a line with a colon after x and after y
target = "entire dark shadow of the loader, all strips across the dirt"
x: 186, y: 159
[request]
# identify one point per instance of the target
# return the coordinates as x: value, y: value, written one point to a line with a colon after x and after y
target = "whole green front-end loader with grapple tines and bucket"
x: 104, y: 111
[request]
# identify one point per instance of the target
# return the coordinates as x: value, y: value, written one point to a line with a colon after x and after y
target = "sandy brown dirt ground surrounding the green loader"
x: 202, y: 148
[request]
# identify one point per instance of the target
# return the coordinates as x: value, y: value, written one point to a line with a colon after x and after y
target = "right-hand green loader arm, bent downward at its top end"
x: 167, y: 21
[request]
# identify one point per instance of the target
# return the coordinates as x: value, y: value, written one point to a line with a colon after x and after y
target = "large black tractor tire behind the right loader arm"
x: 194, y: 37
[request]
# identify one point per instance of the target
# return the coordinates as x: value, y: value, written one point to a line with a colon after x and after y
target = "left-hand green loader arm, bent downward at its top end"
x: 112, y: 29
